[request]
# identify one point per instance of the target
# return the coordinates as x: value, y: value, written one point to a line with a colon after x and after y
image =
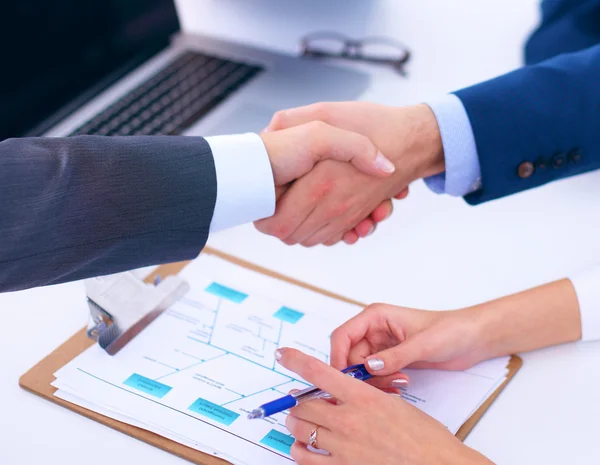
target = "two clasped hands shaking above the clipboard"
x: 337, y: 166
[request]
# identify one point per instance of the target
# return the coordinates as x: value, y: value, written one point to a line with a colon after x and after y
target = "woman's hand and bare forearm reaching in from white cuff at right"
x: 388, y: 338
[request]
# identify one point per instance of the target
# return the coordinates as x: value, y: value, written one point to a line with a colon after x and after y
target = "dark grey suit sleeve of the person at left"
x: 72, y: 208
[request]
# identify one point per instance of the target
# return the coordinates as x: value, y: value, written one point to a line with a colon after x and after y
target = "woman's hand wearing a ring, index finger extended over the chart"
x: 365, y: 426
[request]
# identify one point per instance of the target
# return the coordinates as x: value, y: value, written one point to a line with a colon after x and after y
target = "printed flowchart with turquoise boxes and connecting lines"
x: 211, y: 355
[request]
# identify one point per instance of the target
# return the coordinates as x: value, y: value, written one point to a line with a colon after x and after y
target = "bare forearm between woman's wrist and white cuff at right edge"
x: 539, y: 317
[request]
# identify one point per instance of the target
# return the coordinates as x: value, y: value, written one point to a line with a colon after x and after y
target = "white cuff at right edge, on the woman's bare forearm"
x: 587, y: 288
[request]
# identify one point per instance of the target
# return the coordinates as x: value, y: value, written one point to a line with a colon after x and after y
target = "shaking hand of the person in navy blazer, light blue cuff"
x: 334, y: 201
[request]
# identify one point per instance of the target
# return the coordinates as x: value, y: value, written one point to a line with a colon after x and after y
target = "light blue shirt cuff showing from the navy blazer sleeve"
x: 463, y: 171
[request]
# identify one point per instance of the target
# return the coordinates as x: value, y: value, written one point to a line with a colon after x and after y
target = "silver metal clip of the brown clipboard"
x: 121, y: 306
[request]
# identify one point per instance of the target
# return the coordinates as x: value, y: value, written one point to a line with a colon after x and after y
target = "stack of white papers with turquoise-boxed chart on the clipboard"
x: 196, y: 372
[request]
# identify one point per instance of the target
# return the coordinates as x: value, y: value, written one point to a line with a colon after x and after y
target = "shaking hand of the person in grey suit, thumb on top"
x: 295, y: 151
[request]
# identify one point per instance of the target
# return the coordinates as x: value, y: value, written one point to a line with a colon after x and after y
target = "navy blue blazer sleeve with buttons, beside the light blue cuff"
x: 546, y: 114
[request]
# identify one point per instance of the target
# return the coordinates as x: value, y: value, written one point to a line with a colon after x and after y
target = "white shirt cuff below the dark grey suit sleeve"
x: 245, y: 184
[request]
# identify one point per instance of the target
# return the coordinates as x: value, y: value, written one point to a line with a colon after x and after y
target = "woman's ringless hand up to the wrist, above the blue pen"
x: 388, y: 338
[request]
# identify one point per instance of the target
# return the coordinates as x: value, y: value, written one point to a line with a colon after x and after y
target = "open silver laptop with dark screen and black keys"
x: 124, y: 67
